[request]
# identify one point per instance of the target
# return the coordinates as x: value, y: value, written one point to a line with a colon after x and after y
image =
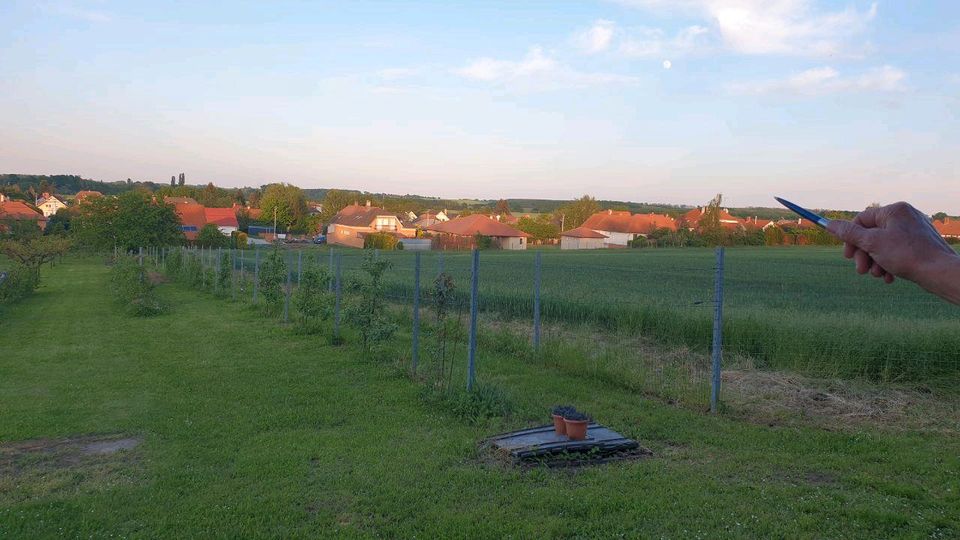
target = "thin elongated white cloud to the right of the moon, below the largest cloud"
x: 826, y: 80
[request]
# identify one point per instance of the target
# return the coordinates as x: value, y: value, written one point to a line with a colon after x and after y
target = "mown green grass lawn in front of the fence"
x: 249, y: 429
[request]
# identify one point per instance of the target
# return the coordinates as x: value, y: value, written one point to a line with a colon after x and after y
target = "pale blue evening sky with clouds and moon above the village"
x: 832, y: 104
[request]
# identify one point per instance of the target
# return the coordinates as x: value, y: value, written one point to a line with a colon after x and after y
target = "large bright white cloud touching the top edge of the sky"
x: 785, y: 27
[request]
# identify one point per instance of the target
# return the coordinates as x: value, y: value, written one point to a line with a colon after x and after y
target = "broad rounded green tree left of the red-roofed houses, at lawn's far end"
x: 129, y: 221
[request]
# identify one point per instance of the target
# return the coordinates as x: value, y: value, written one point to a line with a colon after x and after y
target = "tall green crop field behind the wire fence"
x: 801, y: 308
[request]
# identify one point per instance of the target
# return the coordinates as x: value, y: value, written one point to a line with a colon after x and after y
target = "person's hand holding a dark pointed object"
x: 898, y: 240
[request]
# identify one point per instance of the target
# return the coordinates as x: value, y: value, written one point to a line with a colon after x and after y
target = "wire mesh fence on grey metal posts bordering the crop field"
x: 643, y: 319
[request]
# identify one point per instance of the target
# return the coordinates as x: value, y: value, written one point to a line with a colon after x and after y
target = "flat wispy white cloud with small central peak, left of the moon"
x: 537, y: 71
